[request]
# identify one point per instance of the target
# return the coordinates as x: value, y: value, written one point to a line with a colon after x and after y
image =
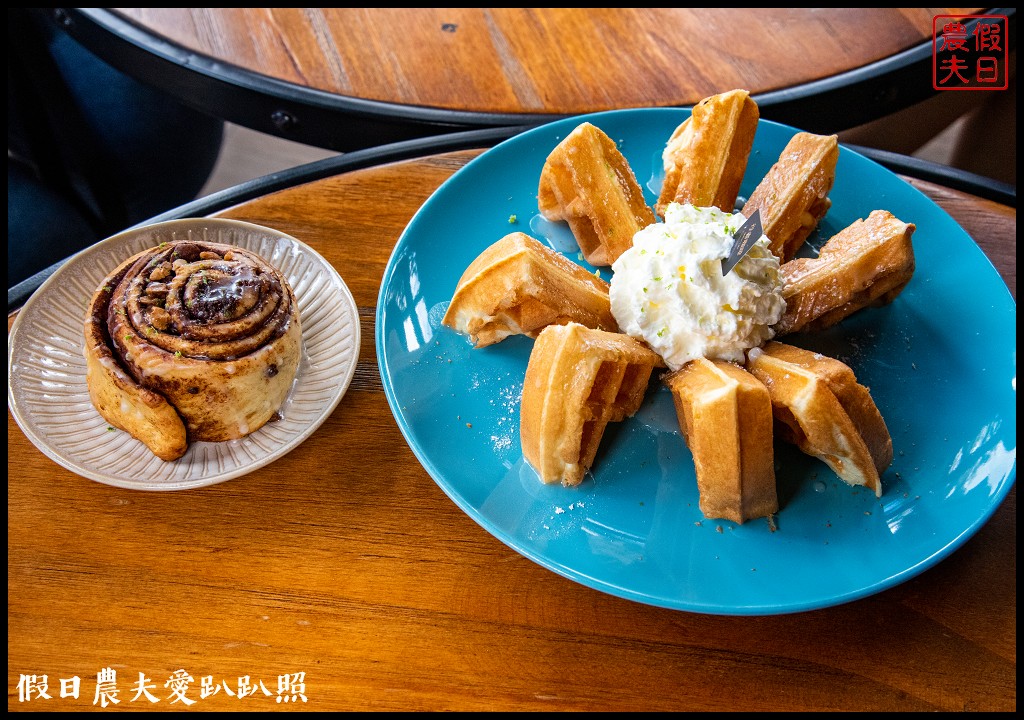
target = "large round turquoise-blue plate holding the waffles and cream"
x: 941, y: 362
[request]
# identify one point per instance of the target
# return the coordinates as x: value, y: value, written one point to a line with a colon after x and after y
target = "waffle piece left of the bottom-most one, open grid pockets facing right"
x: 579, y: 380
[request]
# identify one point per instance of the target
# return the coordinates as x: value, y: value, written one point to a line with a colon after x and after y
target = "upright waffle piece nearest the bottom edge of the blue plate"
x: 726, y: 416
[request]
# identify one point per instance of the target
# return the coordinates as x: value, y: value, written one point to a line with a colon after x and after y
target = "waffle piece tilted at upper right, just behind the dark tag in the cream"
x: 793, y: 197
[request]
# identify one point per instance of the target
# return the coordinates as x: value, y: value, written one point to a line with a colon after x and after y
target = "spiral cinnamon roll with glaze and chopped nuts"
x: 192, y: 342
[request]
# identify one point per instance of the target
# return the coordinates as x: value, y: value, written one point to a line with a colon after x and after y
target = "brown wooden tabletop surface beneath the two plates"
x: 345, y: 561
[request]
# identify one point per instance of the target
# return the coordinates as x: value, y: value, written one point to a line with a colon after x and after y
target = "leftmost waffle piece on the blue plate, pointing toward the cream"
x: 520, y: 286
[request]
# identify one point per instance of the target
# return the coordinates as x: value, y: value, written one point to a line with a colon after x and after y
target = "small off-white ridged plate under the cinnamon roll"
x: 47, y: 389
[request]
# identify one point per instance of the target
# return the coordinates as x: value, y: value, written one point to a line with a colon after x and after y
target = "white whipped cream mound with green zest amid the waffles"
x: 669, y: 290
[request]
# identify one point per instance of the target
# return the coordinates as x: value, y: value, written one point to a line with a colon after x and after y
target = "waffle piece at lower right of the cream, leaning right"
x: 821, y: 408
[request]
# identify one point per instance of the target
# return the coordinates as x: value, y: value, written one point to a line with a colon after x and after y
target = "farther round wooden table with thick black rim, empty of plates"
x: 351, y: 78
